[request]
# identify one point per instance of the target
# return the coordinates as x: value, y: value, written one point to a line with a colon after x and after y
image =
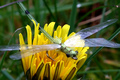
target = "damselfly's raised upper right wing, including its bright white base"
x: 77, y: 40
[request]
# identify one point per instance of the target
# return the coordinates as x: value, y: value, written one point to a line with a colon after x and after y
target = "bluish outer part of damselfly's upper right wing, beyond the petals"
x: 91, y: 30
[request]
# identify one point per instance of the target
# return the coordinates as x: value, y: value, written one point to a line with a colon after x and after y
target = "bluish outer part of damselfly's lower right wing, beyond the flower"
x: 100, y: 42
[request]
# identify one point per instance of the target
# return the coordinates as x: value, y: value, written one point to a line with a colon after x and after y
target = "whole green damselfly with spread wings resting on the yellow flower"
x: 77, y: 40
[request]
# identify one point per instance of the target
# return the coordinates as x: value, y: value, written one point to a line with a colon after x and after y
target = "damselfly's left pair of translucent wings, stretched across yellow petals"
x: 30, y: 50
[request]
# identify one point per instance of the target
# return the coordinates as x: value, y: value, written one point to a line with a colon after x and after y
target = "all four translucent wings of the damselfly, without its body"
x: 77, y: 40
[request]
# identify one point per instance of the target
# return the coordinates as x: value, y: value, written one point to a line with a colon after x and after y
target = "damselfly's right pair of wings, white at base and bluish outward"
x: 93, y: 42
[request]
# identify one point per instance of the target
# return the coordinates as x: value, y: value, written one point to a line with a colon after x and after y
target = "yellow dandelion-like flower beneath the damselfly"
x: 39, y: 66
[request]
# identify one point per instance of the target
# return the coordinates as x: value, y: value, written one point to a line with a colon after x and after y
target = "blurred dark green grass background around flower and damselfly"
x: 105, y: 65
